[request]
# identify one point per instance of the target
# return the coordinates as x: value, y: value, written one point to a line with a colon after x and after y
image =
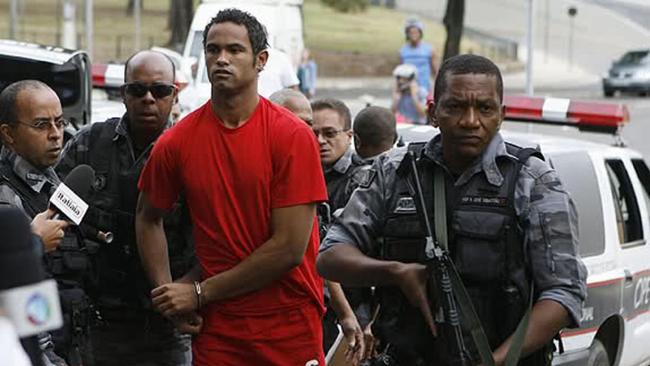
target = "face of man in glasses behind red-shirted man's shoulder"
x: 333, y: 139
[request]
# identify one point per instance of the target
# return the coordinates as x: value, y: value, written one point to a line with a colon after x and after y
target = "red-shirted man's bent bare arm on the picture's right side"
x: 290, y: 231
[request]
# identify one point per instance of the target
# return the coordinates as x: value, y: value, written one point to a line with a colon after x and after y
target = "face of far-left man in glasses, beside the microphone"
x: 37, y: 135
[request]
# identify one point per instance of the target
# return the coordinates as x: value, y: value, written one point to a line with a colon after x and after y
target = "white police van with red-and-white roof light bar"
x: 610, y: 185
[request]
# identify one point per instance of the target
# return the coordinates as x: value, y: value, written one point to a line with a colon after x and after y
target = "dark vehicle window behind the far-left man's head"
x: 63, y: 79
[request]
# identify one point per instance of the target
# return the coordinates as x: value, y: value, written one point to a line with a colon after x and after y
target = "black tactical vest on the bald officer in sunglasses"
x: 118, y: 276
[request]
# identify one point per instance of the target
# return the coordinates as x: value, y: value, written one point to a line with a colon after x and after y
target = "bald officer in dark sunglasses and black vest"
x: 130, y: 332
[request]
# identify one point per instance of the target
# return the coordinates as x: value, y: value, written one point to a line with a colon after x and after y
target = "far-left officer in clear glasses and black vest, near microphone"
x: 32, y: 123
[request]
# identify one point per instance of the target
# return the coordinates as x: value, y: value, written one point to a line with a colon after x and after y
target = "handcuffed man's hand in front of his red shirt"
x: 173, y: 299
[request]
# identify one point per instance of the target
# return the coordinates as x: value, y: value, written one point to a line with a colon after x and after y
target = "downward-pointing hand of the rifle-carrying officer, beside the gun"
x: 412, y: 280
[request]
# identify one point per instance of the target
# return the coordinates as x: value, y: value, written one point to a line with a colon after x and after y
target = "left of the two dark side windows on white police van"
x: 627, y: 210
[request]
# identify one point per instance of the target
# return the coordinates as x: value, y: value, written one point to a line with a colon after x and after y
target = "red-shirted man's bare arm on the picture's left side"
x: 152, y: 242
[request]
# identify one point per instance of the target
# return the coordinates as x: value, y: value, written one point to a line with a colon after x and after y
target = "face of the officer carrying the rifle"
x: 468, y: 113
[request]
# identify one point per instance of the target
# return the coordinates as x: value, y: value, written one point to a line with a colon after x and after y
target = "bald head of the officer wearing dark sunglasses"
x: 149, y: 92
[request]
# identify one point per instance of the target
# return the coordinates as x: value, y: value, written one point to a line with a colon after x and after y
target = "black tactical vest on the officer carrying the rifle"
x: 486, y: 246
